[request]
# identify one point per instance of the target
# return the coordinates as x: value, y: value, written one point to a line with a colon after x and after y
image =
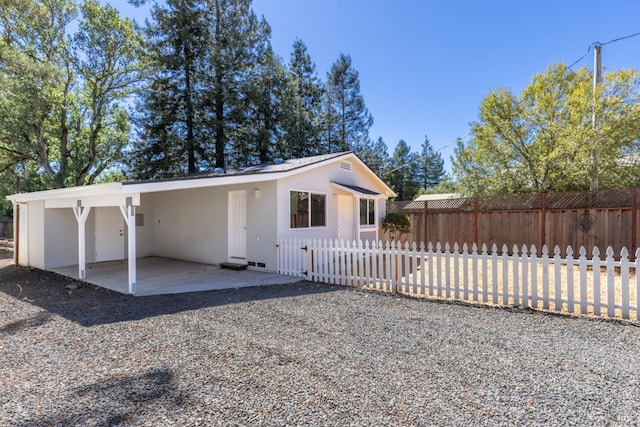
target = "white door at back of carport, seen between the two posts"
x: 109, y: 234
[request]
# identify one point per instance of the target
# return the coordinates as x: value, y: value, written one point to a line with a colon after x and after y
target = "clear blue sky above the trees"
x: 425, y: 66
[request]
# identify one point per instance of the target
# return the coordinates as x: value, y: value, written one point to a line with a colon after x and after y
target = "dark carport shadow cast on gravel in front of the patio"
x: 90, y: 305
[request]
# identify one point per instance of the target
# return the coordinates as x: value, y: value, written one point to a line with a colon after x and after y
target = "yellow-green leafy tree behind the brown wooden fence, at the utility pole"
x: 543, y: 140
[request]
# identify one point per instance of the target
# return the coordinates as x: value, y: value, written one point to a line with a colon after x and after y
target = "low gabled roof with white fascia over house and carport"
x: 258, y: 173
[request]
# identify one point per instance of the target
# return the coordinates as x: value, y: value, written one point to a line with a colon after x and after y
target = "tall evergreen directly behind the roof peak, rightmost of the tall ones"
x: 347, y: 119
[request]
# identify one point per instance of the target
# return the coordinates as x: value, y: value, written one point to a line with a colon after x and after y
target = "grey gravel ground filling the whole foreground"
x: 302, y: 354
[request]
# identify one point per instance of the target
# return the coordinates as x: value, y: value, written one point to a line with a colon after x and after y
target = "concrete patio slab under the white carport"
x: 159, y: 276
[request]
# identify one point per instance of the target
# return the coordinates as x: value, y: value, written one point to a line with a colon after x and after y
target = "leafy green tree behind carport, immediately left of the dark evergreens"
x: 105, y: 55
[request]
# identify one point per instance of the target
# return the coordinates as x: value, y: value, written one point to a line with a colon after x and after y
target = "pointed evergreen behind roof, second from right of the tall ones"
x: 302, y: 105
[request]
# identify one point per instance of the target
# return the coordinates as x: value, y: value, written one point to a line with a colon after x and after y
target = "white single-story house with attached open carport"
x: 234, y: 216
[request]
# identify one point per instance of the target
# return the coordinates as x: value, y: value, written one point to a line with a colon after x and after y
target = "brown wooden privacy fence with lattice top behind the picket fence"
x: 606, y: 218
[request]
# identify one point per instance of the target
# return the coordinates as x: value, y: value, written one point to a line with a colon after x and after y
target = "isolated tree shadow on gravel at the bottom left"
x: 116, y: 401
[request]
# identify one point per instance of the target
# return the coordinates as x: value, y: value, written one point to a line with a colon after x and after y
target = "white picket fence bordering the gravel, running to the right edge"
x: 520, y: 277
